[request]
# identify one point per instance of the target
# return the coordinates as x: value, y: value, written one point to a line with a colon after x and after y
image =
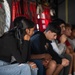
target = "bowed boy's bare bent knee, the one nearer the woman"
x: 51, y: 67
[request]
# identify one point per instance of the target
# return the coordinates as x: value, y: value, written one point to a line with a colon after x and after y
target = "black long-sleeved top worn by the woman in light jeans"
x: 9, y: 47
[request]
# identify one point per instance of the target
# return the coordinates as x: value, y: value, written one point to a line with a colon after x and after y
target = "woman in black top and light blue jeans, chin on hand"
x: 16, y: 43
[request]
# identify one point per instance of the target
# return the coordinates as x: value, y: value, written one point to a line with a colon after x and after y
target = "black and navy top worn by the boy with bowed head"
x: 40, y: 45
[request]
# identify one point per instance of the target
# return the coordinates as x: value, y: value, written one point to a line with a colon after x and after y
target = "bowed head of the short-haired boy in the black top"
x: 51, y: 31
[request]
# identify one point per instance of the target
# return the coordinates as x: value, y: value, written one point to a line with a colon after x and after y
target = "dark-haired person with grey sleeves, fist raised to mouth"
x: 59, y: 45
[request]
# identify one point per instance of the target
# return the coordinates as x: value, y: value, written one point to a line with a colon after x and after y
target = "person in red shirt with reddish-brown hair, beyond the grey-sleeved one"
x: 70, y: 49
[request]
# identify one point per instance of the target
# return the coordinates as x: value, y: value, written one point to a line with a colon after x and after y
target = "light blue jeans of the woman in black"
x: 16, y: 69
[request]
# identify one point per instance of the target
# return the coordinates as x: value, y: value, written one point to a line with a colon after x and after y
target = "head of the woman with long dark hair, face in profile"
x: 23, y: 26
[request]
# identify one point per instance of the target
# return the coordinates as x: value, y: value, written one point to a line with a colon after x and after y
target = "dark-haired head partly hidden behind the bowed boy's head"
x: 61, y: 24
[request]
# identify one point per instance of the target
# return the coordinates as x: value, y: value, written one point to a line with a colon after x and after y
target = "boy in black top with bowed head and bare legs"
x: 42, y: 48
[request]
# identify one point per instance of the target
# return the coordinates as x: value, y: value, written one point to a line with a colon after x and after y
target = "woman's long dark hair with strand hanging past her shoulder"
x: 20, y: 25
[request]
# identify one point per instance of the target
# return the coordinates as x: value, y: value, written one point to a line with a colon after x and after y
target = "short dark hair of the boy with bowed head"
x: 52, y: 27
